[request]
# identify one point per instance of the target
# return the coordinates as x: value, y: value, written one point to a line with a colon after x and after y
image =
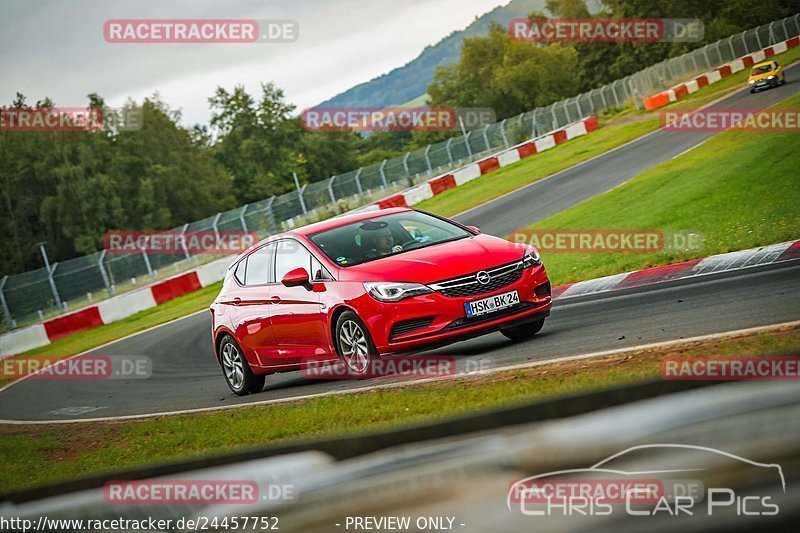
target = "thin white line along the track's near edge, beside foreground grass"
x: 606, y: 353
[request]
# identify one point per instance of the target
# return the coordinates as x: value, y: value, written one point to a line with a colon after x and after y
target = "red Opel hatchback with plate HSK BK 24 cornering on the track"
x: 357, y: 286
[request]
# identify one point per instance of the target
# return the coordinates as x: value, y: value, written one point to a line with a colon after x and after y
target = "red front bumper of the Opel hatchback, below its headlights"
x: 435, y: 319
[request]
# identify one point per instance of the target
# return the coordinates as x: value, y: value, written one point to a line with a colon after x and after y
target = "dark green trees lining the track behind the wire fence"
x: 68, y: 188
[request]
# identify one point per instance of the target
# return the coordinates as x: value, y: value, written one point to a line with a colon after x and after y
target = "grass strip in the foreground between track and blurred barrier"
x: 37, y: 455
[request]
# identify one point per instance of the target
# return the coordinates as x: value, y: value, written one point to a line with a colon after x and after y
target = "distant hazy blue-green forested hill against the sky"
x: 411, y: 80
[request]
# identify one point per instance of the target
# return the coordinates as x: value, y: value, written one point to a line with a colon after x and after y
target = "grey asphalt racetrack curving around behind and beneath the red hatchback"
x: 186, y: 376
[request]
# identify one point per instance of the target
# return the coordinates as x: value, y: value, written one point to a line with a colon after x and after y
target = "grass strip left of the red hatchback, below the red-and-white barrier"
x: 86, y: 340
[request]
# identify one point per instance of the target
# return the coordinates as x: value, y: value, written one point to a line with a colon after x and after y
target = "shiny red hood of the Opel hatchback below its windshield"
x: 438, y: 262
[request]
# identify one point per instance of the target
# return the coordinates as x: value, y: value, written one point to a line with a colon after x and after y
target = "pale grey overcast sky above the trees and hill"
x: 56, y: 48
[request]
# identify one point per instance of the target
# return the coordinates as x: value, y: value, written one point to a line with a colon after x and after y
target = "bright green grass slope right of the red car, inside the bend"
x: 722, y: 189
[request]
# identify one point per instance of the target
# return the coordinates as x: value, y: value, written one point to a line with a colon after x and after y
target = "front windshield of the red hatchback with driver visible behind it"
x: 386, y: 235
